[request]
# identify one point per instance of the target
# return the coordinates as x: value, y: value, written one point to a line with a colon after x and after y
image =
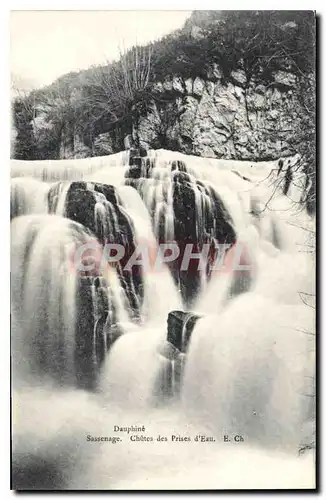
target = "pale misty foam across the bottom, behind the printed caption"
x: 60, y: 437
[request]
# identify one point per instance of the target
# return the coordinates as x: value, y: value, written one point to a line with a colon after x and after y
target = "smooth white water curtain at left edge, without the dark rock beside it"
x: 43, y: 298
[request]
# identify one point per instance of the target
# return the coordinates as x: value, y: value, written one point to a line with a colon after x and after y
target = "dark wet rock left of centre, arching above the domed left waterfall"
x: 98, y: 208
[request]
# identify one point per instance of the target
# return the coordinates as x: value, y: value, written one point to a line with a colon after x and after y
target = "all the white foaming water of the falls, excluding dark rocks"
x: 250, y: 364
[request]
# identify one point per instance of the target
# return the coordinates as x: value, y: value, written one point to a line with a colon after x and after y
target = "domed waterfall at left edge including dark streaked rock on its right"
x: 62, y: 319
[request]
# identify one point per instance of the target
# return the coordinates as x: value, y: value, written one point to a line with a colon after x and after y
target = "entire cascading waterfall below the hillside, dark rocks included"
x: 245, y: 363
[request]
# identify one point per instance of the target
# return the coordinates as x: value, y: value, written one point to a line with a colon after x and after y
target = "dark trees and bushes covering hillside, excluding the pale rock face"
x: 73, y: 115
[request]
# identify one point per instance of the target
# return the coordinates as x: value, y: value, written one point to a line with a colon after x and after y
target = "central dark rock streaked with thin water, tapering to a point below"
x: 191, y: 214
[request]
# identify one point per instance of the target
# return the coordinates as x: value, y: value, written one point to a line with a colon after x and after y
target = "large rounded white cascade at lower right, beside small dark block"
x: 247, y: 372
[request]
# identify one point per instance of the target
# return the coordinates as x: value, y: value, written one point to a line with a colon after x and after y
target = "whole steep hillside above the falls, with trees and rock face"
x: 229, y: 84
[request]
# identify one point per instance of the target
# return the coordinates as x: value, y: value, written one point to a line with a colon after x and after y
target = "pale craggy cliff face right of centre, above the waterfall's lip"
x: 222, y: 120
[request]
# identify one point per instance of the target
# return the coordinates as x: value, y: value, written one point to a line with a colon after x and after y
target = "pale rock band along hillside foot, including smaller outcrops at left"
x: 210, y: 117
